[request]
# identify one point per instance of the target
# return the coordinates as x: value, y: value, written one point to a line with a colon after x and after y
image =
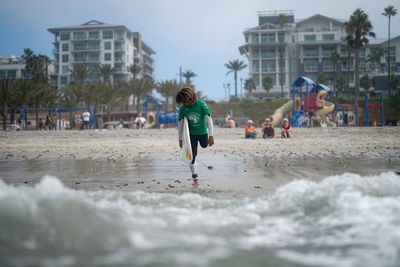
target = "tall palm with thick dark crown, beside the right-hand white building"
x: 358, y: 28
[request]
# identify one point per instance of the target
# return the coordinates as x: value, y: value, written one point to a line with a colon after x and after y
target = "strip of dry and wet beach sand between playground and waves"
x: 149, y: 160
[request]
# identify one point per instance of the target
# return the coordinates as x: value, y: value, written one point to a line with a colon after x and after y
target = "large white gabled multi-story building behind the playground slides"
x: 283, y: 49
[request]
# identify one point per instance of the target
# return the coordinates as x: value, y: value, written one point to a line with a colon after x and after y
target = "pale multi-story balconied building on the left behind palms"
x: 92, y: 44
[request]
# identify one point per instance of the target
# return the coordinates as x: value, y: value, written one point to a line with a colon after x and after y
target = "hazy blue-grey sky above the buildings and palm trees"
x: 198, y: 35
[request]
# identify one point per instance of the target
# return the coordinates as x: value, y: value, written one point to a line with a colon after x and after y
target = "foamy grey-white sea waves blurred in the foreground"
x: 346, y: 220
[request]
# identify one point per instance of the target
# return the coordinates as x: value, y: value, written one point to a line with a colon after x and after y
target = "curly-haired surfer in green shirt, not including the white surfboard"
x: 199, y: 119
